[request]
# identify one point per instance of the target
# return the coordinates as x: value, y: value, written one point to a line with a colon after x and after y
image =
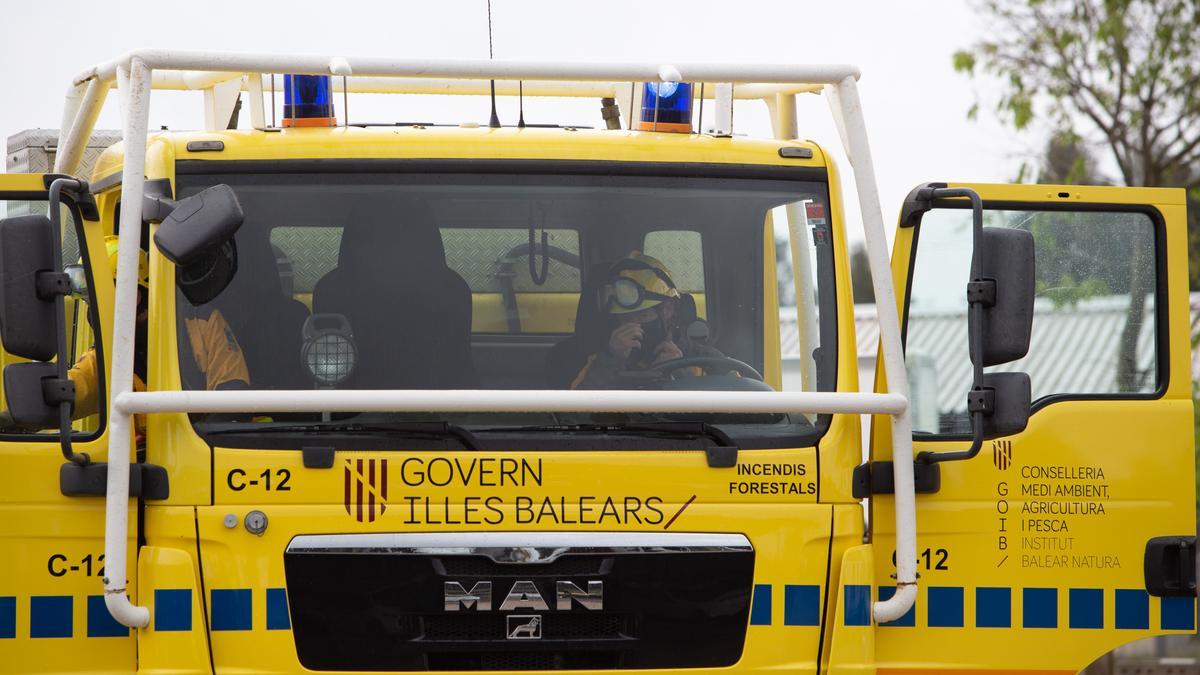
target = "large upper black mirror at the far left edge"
x: 28, y: 325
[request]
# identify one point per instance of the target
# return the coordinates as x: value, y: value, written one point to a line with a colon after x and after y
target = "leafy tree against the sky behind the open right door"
x: 1121, y: 77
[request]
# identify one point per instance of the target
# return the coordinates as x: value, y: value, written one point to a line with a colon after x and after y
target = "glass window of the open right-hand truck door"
x: 1095, y: 319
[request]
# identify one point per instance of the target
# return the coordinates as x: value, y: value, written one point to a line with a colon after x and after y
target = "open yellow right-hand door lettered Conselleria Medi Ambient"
x: 1040, y: 552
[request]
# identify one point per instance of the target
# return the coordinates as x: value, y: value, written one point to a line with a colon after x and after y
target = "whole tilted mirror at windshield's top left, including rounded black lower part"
x: 197, y: 236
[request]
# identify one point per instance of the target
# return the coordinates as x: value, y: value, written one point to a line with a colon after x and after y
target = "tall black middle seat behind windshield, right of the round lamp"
x: 410, y: 313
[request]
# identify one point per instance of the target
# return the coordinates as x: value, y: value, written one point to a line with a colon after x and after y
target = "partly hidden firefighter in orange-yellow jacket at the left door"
x: 215, y: 350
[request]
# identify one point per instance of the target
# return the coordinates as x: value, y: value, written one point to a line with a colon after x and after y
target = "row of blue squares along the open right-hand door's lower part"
x: 944, y: 607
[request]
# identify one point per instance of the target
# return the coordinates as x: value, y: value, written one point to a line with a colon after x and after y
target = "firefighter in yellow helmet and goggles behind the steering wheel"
x: 643, y: 306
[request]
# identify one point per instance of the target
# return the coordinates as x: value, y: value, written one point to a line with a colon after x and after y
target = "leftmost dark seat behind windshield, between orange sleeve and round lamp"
x: 267, y: 322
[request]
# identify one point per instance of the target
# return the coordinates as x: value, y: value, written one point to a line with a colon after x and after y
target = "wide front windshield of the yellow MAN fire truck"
x: 511, y: 282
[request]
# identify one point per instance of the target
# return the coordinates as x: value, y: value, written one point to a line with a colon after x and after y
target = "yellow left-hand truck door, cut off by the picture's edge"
x: 52, y: 608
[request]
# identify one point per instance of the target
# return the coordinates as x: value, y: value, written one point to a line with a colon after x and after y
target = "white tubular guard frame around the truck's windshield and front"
x: 136, y: 76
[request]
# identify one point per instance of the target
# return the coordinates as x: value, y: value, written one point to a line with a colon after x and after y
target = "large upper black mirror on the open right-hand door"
x: 1007, y: 261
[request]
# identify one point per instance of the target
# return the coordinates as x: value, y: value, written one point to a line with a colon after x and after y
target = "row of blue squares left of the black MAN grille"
x: 53, y: 617
